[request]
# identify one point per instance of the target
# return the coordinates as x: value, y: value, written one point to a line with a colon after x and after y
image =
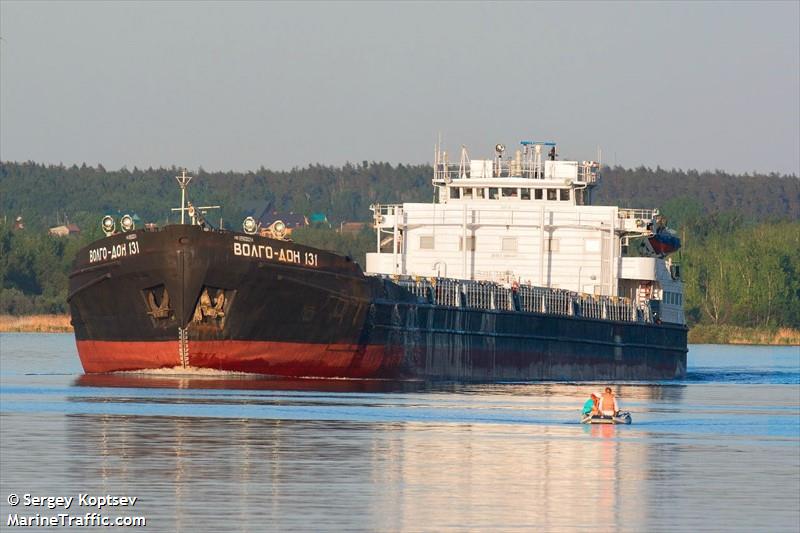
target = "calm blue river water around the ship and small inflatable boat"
x: 210, y: 452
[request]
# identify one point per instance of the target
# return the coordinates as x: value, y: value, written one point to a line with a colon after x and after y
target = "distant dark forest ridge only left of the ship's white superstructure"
x: 42, y: 194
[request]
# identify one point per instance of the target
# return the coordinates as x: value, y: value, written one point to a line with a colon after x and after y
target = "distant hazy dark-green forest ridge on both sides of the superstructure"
x: 42, y: 194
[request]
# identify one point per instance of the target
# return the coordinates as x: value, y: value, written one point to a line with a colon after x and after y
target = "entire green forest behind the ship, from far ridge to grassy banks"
x: 740, y: 233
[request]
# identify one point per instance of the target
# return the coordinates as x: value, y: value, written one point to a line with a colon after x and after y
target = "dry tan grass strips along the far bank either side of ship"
x: 701, y: 334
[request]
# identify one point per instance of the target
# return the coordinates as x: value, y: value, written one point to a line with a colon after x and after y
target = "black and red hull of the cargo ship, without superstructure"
x: 184, y: 297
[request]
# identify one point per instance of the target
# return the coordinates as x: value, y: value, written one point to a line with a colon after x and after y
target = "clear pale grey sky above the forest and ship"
x: 237, y: 86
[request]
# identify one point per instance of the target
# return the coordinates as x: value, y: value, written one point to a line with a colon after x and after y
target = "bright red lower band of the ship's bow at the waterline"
x: 258, y: 357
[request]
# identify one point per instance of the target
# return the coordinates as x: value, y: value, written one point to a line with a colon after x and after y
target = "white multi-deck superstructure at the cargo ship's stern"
x: 526, y: 220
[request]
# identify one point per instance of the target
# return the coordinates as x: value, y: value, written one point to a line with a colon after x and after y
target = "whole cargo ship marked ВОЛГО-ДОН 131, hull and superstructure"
x: 509, y: 274
